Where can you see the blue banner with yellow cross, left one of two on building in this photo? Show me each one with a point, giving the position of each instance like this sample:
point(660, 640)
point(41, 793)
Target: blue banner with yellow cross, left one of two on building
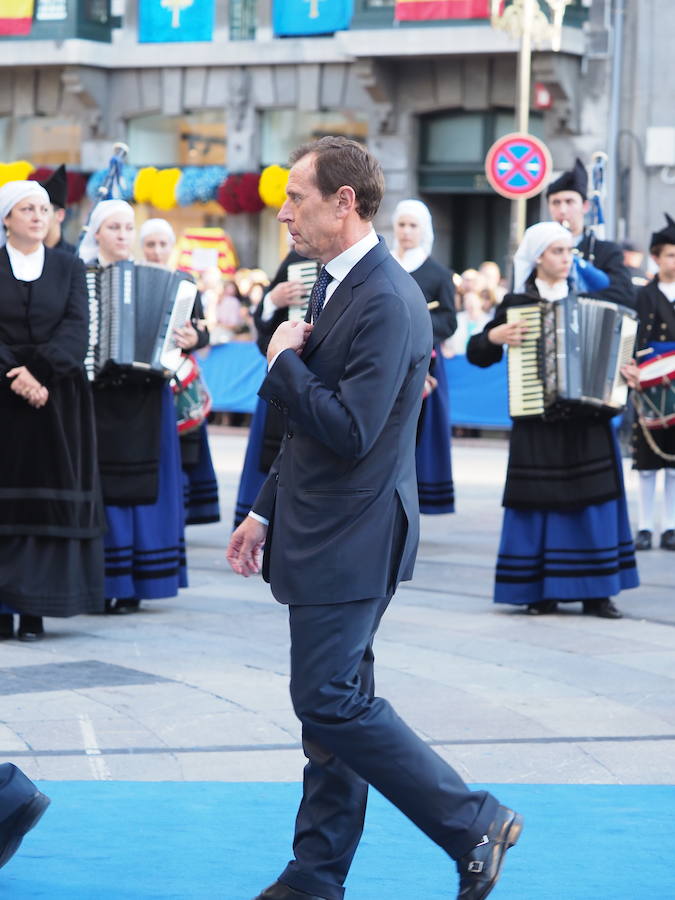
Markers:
point(161, 21)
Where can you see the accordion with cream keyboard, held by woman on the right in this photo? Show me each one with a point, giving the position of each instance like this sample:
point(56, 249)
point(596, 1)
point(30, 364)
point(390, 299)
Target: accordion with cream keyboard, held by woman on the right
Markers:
point(570, 358)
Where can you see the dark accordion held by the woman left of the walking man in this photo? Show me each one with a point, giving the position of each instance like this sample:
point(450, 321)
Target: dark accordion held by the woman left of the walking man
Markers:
point(133, 312)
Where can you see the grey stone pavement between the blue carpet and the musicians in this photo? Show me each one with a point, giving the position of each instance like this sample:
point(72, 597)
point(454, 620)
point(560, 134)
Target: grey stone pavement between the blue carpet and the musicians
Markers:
point(195, 688)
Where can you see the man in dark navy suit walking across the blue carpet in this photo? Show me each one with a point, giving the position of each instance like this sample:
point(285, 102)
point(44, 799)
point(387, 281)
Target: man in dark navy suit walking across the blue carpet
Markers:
point(338, 518)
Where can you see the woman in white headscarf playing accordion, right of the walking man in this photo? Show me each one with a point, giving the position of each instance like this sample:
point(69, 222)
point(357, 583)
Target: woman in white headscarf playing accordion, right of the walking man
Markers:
point(565, 533)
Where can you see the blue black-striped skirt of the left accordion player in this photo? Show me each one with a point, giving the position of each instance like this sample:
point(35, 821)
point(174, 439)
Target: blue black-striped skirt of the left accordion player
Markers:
point(145, 544)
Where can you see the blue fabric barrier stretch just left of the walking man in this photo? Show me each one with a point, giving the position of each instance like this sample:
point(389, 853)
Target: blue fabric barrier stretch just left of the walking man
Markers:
point(233, 374)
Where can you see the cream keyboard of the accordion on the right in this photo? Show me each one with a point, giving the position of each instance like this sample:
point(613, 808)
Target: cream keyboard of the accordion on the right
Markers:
point(526, 386)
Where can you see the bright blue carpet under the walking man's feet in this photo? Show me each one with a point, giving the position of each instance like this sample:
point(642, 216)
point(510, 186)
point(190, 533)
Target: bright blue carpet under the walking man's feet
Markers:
point(180, 841)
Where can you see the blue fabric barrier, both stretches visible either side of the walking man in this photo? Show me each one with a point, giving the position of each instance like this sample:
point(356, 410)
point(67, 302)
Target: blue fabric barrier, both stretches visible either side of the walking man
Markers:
point(478, 397)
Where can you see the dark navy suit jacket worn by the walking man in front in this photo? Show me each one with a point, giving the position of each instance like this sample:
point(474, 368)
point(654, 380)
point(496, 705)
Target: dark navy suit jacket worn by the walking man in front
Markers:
point(342, 496)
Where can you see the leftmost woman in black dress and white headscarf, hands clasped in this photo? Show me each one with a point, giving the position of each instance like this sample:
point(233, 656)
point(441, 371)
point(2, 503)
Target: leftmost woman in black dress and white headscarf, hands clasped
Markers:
point(51, 516)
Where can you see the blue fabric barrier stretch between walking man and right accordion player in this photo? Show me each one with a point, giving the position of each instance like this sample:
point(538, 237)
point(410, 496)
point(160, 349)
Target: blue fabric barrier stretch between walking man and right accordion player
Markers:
point(478, 397)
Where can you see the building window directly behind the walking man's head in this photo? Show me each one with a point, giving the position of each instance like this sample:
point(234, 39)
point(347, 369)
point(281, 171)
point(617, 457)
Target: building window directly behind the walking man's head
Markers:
point(285, 129)
